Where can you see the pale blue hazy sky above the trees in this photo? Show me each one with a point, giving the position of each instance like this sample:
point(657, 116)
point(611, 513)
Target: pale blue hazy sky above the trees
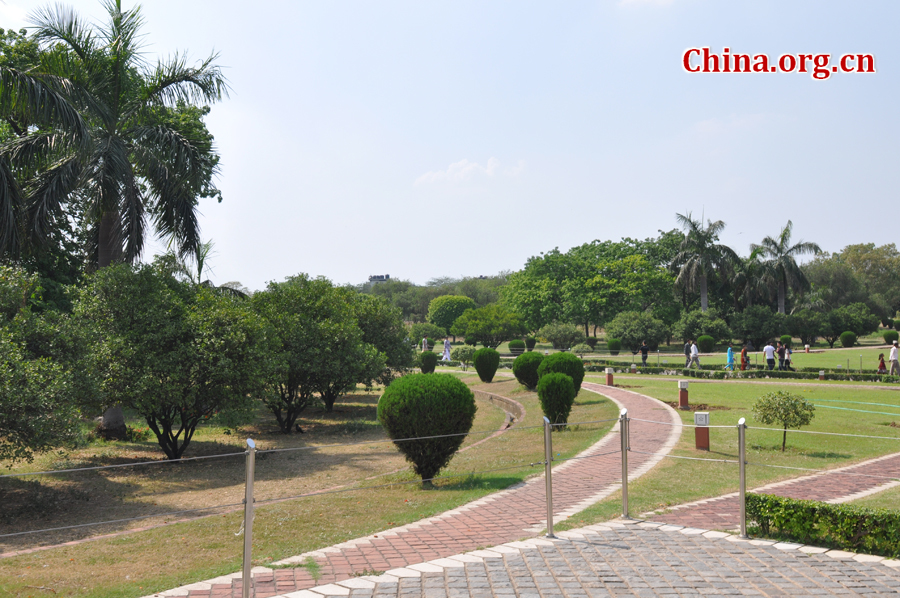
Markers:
point(460, 138)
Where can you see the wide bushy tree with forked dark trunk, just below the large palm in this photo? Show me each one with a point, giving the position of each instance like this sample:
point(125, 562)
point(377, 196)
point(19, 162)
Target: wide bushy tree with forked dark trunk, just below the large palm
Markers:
point(174, 353)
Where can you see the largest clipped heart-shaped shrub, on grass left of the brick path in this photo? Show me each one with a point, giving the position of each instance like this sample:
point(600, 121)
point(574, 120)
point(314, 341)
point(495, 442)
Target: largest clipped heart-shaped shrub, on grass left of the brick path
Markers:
point(422, 405)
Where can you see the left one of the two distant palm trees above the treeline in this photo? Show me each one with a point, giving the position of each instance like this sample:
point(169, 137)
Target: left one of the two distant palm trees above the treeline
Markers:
point(700, 256)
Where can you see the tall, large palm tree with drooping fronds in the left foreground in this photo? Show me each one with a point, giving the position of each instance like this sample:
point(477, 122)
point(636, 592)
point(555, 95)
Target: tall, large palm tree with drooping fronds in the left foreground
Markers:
point(110, 133)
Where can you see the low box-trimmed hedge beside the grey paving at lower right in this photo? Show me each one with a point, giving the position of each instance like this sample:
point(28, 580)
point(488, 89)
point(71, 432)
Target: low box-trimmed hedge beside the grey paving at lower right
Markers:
point(845, 527)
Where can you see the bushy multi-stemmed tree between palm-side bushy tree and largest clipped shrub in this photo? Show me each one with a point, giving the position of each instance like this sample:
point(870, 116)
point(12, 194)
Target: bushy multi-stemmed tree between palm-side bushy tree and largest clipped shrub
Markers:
point(317, 345)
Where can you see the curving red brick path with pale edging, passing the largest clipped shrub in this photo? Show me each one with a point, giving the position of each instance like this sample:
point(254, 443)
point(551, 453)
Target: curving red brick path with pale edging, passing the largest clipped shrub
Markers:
point(502, 517)
